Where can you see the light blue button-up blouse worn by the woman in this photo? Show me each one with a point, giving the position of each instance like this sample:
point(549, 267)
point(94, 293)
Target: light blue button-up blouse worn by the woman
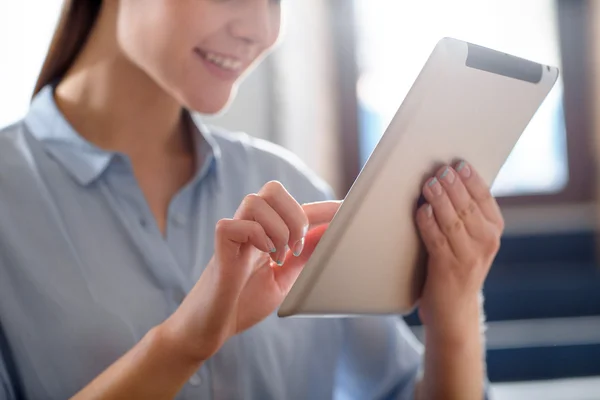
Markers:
point(85, 273)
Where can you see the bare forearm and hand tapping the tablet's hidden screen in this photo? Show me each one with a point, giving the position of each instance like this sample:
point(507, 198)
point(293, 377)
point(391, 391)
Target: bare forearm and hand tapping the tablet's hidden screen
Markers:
point(240, 287)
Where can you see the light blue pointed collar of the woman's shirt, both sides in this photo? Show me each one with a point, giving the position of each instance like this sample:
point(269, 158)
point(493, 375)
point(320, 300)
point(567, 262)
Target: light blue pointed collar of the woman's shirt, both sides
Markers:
point(87, 162)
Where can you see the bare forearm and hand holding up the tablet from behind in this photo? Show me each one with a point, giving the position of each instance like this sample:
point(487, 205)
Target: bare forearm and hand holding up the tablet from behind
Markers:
point(461, 227)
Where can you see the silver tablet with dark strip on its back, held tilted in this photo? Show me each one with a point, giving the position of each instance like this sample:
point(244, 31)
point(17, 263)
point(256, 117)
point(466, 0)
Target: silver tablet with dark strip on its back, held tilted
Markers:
point(468, 102)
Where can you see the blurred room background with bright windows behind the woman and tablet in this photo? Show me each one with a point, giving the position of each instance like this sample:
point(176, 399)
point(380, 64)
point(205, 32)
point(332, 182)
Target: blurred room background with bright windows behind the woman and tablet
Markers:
point(329, 90)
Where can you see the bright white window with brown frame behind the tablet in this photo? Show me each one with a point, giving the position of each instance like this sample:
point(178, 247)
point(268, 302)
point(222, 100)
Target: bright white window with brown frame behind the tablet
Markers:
point(395, 38)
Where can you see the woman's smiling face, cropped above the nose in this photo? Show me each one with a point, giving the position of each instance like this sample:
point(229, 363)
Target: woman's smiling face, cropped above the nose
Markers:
point(197, 50)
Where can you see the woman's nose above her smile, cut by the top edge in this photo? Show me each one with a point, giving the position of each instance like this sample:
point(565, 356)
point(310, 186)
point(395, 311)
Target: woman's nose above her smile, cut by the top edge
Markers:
point(257, 22)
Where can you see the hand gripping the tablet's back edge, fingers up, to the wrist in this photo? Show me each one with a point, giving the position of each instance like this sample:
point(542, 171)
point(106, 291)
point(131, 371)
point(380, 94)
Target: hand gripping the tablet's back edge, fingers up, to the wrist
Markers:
point(461, 226)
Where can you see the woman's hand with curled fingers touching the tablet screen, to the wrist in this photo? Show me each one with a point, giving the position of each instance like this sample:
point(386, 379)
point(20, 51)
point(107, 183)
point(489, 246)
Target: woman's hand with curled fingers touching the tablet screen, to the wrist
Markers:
point(251, 271)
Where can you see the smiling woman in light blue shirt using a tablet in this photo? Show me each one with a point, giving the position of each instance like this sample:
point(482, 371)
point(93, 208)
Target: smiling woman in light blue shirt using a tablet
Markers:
point(142, 254)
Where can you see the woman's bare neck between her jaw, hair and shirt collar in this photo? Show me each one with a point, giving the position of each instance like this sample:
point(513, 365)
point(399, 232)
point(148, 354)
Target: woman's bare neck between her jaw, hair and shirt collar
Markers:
point(117, 106)
